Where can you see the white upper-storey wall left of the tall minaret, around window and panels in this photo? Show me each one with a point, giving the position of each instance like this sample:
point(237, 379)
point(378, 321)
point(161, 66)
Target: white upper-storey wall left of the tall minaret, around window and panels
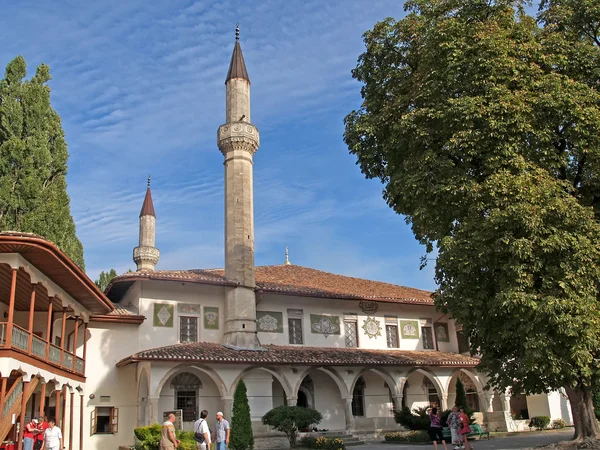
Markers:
point(173, 293)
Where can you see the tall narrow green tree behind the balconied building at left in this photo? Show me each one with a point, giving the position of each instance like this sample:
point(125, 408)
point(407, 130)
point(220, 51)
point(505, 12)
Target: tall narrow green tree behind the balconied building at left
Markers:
point(33, 161)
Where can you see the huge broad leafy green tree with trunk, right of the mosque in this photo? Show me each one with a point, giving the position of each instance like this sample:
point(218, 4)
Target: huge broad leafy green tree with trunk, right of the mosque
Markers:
point(483, 123)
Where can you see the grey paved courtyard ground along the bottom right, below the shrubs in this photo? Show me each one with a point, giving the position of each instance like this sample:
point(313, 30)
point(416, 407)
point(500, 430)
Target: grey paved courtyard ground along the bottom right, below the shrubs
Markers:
point(522, 441)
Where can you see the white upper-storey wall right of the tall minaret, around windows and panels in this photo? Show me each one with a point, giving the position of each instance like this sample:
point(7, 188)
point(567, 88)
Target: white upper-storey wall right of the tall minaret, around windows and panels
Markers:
point(281, 303)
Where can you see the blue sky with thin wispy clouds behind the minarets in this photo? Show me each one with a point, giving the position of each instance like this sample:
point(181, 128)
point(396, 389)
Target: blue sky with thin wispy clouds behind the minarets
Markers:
point(140, 88)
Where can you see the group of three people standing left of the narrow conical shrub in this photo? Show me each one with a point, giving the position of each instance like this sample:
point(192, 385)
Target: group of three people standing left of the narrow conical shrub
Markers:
point(202, 433)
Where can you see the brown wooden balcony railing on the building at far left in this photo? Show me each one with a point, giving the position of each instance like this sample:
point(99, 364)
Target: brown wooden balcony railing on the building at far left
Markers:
point(56, 356)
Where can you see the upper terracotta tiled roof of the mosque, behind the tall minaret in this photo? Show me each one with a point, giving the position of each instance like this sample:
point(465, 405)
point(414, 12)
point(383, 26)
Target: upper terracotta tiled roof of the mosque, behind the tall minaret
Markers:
point(297, 280)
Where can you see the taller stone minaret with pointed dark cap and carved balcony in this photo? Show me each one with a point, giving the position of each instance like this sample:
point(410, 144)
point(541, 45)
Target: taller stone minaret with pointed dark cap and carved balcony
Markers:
point(238, 140)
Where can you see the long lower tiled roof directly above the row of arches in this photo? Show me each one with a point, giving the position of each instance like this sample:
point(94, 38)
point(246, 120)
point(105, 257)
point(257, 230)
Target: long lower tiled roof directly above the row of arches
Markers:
point(208, 352)
